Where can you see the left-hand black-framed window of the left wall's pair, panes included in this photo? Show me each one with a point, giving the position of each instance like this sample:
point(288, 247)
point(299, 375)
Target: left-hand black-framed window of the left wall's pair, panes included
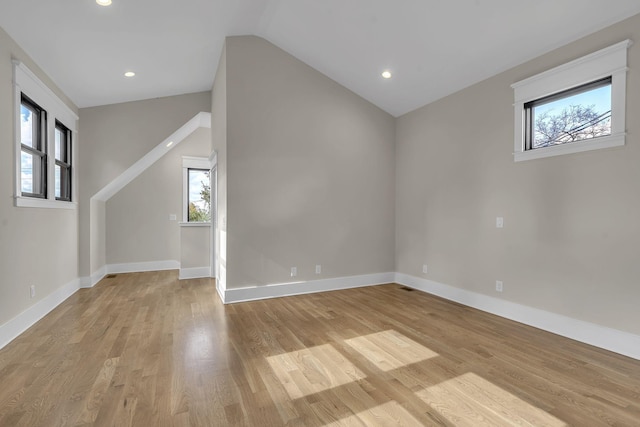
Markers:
point(33, 149)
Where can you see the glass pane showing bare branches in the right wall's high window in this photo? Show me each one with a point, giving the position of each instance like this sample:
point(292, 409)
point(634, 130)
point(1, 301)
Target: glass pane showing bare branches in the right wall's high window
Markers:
point(573, 118)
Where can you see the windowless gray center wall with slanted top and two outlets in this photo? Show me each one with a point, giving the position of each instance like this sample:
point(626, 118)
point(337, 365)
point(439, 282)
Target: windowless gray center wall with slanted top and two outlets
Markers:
point(310, 172)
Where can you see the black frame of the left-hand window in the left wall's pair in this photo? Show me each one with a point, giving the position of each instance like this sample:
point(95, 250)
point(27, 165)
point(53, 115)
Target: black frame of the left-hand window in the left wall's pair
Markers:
point(39, 149)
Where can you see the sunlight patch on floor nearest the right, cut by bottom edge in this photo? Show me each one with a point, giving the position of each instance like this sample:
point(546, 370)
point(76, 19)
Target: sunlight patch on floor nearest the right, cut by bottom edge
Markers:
point(470, 400)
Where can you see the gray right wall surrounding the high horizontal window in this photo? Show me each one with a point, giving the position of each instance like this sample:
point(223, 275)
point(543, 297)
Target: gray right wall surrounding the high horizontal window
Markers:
point(571, 237)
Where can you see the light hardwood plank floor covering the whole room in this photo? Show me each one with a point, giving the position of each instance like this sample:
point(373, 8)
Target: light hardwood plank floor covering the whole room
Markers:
point(145, 349)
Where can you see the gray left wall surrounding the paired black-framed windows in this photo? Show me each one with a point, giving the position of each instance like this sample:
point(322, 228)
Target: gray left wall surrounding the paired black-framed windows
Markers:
point(37, 246)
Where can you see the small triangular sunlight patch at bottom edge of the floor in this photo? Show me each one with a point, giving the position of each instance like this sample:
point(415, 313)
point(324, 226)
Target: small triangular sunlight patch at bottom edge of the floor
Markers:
point(387, 414)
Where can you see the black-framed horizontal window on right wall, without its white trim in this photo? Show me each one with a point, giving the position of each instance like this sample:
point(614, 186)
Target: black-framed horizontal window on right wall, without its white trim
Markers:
point(577, 114)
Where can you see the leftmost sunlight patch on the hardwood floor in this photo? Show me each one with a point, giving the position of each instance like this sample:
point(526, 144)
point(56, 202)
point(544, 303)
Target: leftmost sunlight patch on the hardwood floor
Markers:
point(312, 370)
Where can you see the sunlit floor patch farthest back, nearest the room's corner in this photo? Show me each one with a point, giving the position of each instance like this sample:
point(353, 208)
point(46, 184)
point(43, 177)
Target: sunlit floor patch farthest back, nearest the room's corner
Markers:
point(390, 349)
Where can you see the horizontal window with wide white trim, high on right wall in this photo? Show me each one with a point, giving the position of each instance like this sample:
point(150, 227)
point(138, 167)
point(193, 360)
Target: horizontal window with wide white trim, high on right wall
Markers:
point(575, 107)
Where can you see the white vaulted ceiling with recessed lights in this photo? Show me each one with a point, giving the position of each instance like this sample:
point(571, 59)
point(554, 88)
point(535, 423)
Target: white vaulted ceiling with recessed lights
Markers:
point(433, 47)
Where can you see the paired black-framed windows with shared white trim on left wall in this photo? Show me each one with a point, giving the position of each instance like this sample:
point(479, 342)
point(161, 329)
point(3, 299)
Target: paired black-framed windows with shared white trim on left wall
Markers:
point(45, 129)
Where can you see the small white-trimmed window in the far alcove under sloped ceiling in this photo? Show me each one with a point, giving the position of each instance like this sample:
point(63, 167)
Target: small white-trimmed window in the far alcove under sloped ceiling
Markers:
point(196, 190)
